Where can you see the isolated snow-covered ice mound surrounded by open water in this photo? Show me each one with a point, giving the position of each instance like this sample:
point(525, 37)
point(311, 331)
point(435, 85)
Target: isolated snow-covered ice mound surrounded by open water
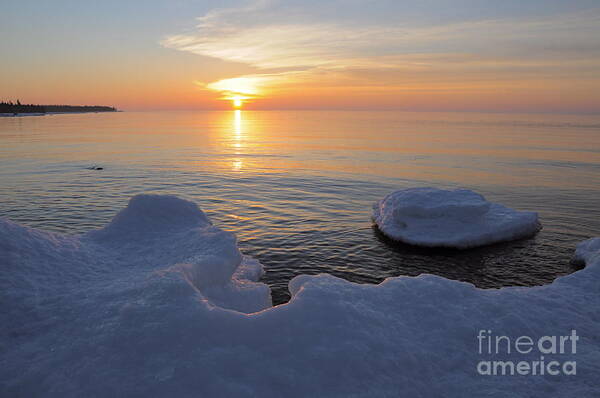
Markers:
point(460, 218)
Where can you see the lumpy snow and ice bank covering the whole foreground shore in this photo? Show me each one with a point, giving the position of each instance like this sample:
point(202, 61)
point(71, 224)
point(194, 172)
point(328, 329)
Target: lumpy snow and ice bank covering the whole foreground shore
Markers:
point(160, 303)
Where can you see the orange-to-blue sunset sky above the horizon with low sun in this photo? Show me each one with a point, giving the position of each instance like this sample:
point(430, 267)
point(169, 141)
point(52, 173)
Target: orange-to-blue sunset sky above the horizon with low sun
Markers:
point(417, 55)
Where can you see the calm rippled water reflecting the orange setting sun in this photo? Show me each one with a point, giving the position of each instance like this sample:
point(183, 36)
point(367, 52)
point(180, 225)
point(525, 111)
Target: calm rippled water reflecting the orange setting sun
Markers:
point(297, 187)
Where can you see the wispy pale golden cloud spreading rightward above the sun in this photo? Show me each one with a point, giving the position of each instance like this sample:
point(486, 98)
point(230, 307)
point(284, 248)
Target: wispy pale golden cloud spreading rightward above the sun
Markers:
point(286, 47)
